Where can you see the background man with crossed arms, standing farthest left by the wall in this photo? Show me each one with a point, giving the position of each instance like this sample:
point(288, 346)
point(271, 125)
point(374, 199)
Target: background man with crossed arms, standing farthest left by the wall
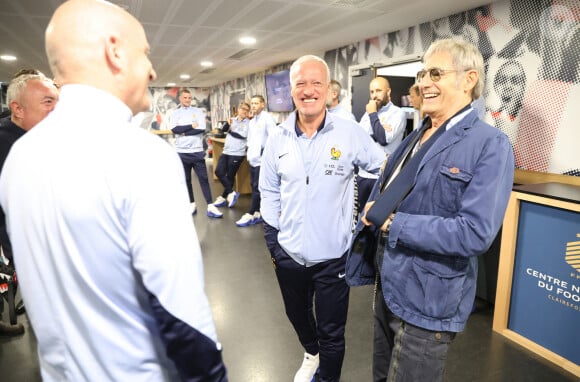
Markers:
point(188, 123)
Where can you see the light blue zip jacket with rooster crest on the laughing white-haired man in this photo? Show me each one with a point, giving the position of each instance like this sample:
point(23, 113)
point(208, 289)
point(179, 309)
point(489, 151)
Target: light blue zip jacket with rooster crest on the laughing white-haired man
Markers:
point(307, 186)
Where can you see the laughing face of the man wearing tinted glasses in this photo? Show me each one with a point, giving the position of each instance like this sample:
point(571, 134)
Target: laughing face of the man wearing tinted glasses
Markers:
point(444, 98)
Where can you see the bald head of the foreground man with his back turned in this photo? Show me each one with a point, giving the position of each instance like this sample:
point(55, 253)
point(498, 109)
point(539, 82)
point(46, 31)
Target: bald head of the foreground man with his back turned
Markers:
point(96, 43)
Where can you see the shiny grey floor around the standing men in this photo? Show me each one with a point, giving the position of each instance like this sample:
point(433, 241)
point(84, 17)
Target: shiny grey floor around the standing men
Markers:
point(259, 343)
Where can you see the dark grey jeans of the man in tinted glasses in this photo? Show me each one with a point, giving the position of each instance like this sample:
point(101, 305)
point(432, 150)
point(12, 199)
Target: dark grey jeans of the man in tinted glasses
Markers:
point(406, 353)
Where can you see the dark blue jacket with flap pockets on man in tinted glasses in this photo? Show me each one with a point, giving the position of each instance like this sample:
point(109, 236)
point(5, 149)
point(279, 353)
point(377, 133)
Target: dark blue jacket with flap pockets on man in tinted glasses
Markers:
point(451, 215)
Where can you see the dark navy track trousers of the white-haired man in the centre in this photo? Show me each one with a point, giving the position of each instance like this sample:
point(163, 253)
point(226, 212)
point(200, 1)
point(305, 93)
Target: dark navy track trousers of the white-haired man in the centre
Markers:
point(320, 326)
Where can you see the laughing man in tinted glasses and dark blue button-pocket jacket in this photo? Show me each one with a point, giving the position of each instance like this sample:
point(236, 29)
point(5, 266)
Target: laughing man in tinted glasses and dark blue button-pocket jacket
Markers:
point(448, 185)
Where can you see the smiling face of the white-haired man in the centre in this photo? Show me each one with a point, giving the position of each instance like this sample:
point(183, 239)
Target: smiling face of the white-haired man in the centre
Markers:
point(310, 89)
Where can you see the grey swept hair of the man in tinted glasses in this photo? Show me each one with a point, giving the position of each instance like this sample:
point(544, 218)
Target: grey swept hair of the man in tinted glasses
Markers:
point(465, 56)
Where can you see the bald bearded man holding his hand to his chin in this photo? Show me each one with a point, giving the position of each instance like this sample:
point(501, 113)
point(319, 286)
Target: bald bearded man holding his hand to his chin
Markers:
point(386, 124)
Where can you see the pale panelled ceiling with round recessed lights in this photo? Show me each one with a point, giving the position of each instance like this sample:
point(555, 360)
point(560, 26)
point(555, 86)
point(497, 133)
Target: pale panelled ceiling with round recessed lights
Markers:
point(182, 33)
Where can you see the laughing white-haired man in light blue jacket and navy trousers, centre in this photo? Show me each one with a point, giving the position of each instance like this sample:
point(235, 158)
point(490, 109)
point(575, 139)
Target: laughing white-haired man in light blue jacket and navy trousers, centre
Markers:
point(307, 188)
